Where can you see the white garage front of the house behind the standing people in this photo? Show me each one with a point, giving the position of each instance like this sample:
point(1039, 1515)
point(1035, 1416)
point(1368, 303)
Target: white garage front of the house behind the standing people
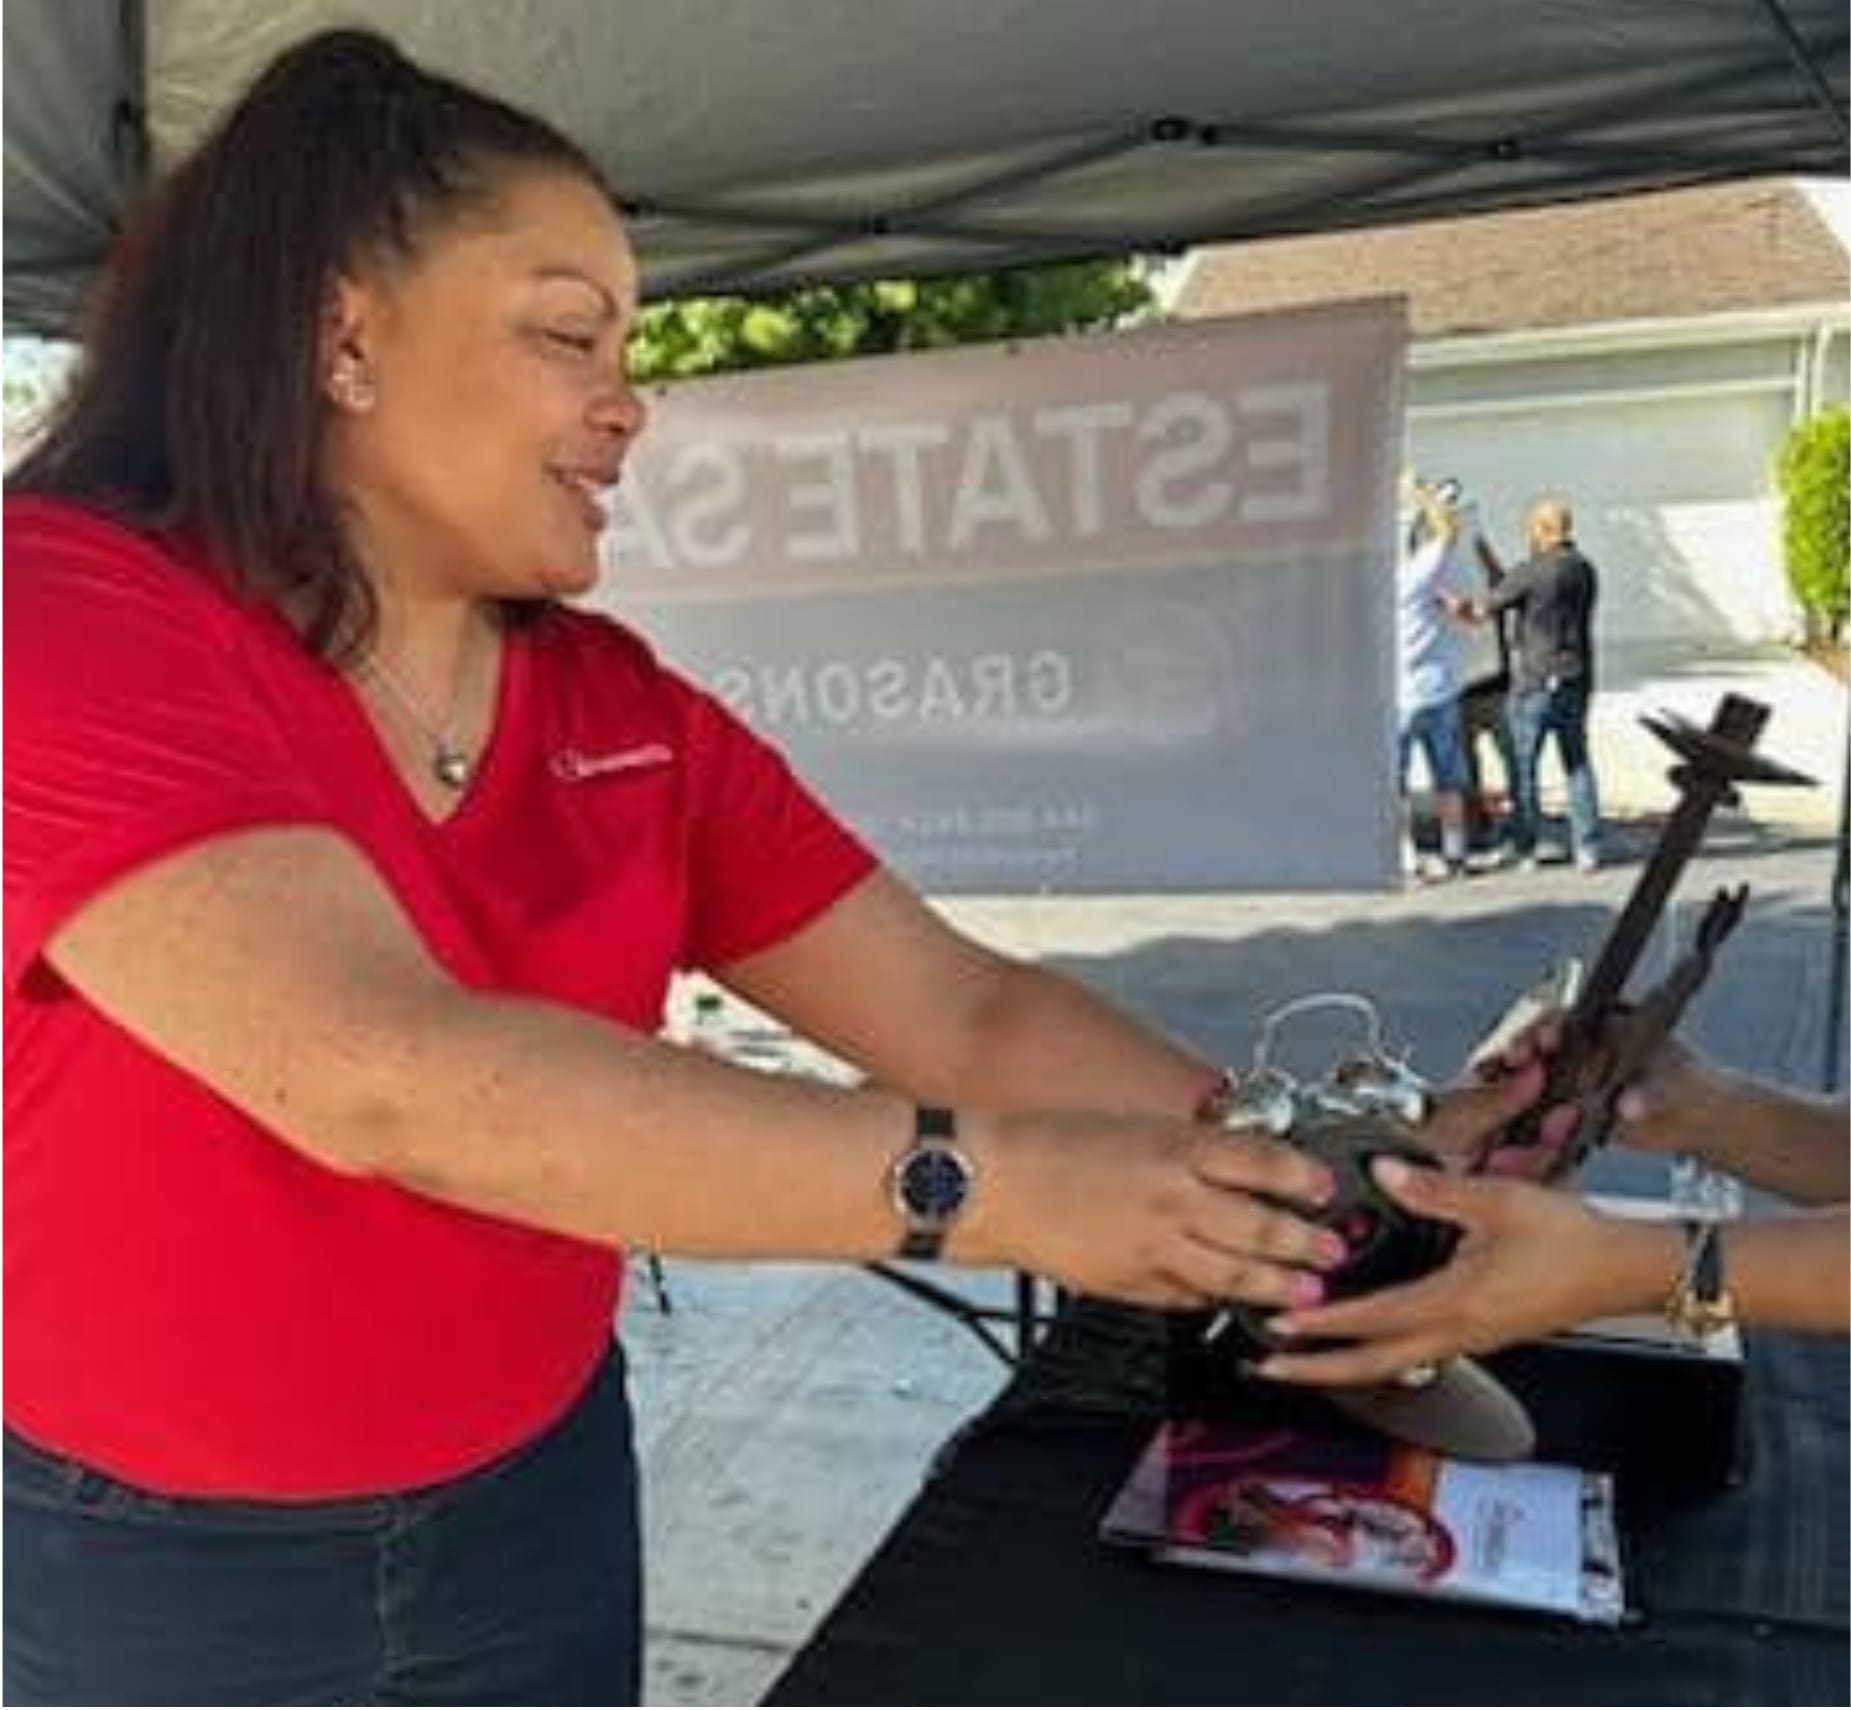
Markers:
point(1663, 440)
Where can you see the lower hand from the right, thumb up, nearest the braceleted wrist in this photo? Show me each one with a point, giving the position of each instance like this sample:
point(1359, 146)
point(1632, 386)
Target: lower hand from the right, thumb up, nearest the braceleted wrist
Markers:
point(1530, 1261)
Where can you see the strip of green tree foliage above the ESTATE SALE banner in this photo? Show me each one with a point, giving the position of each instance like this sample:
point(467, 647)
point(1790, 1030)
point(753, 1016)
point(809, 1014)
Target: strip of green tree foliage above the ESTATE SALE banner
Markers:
point(821, 323)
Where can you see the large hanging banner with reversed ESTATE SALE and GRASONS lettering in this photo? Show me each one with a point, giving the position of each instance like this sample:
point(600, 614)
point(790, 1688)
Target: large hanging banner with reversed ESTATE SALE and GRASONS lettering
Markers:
point(1149, 652)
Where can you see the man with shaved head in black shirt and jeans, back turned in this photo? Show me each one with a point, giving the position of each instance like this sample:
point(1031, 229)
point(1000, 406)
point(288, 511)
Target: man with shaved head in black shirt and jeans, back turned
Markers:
point(1552, 595)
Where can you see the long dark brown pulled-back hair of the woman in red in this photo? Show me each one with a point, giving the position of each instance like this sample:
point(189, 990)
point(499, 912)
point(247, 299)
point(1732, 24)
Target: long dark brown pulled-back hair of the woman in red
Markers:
point(199, 406)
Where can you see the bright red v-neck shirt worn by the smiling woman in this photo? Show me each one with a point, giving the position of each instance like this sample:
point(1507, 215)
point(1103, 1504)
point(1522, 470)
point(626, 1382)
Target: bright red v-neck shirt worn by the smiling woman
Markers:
point(193, 1306)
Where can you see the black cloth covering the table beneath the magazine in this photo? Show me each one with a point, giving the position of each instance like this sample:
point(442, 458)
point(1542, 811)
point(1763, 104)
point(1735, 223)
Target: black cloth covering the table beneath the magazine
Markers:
point(995, 1589)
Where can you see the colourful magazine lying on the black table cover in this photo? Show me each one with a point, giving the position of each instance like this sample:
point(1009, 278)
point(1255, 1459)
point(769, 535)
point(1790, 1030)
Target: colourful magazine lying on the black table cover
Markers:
point(1374, 1515)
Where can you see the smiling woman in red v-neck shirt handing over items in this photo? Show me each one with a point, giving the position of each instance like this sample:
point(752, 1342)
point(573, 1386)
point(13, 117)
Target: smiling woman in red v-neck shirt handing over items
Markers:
point(347, 873)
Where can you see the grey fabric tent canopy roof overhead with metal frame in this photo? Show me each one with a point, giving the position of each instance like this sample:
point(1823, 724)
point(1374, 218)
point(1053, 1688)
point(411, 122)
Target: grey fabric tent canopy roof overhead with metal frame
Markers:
point(773, 145)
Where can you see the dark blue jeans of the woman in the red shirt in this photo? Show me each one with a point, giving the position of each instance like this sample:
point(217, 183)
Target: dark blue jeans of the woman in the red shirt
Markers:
point(517, 1585)
